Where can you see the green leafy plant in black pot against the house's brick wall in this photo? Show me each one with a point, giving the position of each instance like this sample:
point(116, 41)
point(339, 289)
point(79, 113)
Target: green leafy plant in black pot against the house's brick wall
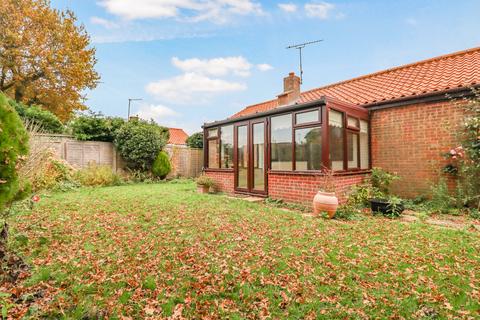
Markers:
point(387, 204)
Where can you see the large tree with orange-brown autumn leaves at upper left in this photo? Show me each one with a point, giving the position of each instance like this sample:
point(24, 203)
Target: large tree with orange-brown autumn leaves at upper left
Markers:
point(45, 58)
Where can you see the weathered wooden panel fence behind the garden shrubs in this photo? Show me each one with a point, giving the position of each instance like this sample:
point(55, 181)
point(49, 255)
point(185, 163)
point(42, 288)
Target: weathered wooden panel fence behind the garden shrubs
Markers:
point(186, 162)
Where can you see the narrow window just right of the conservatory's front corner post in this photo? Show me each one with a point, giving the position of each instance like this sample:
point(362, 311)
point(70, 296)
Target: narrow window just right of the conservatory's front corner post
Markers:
point(336, 128)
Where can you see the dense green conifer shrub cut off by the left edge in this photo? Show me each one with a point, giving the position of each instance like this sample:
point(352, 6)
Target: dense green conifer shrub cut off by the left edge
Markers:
point(13, 149)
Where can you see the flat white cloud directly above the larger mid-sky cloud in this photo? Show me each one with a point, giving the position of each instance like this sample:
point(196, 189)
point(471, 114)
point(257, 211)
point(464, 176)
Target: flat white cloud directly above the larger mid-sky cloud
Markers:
point(215, 67)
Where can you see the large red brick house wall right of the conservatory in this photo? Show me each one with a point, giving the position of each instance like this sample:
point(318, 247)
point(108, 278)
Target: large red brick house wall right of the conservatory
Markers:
point(410, 141)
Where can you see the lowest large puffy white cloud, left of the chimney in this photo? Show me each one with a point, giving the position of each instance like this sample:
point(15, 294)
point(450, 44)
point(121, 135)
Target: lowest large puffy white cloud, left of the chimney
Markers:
point(191, 87)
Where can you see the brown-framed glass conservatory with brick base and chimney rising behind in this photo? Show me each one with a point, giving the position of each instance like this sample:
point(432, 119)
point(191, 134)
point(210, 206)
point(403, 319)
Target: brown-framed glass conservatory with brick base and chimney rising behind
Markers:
point(283, 152)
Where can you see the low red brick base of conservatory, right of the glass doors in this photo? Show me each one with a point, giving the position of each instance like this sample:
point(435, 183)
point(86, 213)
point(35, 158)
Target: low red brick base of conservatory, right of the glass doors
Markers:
point(301, 188)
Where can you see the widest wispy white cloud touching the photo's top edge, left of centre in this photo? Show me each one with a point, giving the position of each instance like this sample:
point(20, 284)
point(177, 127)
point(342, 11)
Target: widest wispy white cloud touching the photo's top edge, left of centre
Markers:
point(191, 10)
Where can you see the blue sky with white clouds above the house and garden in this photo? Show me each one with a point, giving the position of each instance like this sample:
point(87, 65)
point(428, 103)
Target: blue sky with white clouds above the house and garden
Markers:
point(196, 61)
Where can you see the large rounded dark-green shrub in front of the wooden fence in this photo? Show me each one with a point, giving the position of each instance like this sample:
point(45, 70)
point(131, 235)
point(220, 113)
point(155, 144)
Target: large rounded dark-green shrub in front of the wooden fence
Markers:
point(139, 143)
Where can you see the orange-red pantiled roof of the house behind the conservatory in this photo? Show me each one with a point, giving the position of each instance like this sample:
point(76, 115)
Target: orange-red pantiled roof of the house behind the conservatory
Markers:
point(455, 70)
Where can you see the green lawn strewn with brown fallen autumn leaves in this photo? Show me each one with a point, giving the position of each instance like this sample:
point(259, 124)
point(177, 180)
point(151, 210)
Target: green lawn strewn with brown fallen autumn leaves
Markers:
point(163, 250)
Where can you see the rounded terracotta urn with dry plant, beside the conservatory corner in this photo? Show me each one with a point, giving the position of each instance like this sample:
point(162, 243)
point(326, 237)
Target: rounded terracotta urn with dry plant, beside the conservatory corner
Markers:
point(325, 199)
